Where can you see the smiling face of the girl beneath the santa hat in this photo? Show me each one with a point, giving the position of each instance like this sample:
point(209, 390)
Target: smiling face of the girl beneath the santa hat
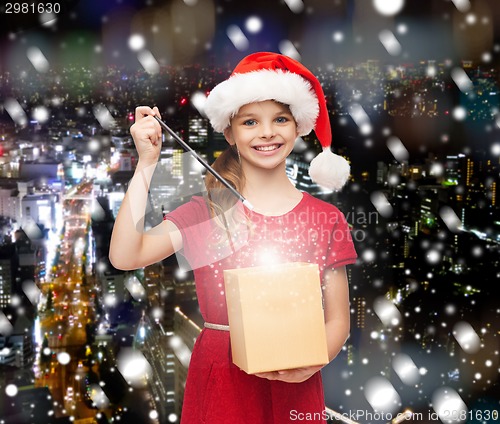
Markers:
point(264, 133)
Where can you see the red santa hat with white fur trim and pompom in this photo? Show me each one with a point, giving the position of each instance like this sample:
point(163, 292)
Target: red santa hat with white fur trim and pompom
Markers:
point(271, 76)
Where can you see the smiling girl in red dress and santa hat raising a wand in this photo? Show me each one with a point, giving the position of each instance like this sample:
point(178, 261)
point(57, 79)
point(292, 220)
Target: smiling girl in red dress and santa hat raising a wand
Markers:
point(262, 108)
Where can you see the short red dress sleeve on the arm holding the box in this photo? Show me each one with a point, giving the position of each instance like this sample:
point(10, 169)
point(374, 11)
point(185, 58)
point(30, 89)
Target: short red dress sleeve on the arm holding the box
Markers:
point(341, 249)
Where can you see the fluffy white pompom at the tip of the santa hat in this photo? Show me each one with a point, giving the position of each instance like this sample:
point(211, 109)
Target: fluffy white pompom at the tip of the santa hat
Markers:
point(329, 170)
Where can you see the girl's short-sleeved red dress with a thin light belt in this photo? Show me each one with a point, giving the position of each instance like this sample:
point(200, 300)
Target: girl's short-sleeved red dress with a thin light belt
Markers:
point(218, 392)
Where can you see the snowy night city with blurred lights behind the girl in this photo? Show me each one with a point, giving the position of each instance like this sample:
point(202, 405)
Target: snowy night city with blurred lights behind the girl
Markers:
point(413, 89)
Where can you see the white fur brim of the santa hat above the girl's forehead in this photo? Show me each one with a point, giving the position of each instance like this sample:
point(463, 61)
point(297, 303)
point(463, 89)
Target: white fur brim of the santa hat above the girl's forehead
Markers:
point(288, 88)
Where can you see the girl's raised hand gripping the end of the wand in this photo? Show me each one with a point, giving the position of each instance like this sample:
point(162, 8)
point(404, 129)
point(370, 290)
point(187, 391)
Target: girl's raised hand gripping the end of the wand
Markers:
point(146, 132)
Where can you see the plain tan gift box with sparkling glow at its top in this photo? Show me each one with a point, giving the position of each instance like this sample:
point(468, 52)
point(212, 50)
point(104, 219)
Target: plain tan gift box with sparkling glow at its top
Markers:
point(276, 317)
